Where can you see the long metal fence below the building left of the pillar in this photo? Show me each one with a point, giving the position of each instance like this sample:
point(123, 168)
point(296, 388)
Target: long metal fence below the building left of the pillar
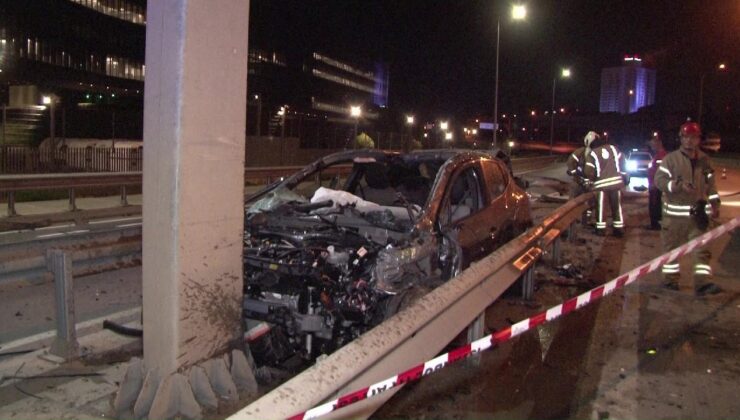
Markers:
point(27, 160)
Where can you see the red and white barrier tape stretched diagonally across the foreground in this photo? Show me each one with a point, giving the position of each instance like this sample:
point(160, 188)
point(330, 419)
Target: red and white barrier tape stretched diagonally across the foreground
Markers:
point(498, 337)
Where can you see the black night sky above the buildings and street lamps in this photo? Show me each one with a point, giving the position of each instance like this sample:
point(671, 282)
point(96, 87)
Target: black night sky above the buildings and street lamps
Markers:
point(441, 54)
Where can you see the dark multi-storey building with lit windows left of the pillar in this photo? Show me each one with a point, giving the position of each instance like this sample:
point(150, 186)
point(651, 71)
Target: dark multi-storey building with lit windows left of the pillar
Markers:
point(83, 57)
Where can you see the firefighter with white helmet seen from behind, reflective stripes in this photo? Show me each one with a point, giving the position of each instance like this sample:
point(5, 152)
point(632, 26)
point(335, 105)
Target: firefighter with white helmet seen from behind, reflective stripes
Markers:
point(604, 168)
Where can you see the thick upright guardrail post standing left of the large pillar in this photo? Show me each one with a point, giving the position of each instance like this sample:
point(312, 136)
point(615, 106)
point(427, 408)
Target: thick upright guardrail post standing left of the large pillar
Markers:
point(65, 344)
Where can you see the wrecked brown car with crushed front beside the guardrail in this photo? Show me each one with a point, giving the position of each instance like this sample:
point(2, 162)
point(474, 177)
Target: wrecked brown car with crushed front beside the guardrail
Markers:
point(344, 243)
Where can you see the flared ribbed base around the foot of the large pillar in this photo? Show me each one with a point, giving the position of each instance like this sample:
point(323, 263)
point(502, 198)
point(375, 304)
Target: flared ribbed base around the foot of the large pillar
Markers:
point(187, 394)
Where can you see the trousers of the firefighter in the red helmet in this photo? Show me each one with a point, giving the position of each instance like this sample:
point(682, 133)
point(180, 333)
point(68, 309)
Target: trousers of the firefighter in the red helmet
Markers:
point(675, 232)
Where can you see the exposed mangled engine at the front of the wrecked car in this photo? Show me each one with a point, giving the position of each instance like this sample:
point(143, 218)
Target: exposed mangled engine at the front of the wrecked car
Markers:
point(312, 277)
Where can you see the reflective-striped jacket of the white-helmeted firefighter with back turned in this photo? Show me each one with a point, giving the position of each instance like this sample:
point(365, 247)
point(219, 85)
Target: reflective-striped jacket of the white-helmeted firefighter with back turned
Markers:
point(604, 166)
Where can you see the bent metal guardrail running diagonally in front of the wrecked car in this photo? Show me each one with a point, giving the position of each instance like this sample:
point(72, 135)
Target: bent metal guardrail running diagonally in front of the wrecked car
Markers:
point(416, 333)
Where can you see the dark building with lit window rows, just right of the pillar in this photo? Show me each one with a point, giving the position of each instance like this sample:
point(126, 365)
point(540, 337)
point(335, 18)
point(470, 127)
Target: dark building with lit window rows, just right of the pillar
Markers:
point(318, 91)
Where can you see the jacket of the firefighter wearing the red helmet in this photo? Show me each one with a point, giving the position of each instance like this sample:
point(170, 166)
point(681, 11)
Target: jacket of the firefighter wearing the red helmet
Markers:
point(677, 170)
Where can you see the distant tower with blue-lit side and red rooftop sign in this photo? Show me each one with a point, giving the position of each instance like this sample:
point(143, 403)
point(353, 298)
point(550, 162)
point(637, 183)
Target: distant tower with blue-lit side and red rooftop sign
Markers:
point(627, 88)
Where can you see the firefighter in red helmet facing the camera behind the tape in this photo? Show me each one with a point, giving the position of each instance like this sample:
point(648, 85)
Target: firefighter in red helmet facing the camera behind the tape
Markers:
point(690, 198)
